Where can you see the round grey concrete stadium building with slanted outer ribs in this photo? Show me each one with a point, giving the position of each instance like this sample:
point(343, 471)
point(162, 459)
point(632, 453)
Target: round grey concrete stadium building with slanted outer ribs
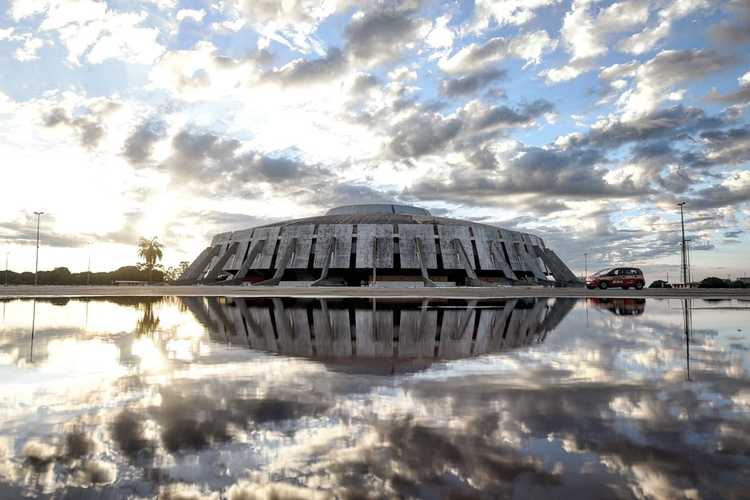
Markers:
point(377, 244)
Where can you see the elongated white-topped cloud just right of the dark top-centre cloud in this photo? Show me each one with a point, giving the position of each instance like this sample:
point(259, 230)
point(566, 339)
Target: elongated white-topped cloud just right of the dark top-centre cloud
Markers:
point(473, 57)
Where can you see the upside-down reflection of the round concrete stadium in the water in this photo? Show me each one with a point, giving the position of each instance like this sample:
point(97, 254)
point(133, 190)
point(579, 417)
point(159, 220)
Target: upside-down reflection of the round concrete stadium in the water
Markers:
point(378, 335)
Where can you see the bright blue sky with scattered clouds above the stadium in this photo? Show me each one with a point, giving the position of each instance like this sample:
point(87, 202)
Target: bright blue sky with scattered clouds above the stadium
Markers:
point(583, 122)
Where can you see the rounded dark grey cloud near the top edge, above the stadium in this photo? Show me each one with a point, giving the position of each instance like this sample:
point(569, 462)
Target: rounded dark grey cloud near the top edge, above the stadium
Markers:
point(380, 35)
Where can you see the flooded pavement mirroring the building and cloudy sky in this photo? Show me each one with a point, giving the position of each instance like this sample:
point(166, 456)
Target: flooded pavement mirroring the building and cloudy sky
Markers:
point(212, 397)
